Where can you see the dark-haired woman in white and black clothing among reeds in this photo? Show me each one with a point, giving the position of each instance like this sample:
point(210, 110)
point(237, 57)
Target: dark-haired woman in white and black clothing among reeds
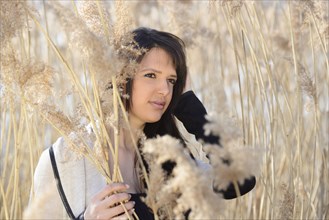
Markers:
point(155, 93)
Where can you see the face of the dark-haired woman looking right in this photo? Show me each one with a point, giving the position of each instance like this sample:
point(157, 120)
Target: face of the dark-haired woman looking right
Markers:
point(152, 88)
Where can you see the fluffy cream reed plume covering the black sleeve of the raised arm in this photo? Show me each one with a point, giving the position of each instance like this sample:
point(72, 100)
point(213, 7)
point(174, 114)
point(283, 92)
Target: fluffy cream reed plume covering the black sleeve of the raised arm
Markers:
point(228, 160)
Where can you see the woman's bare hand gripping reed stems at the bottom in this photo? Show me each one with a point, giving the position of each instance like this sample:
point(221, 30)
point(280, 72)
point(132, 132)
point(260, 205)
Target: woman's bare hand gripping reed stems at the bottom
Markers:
point(106, 203)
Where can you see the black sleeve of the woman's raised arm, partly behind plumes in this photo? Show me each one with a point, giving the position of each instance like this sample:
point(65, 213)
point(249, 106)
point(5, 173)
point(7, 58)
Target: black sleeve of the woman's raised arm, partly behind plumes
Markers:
point(191, 112)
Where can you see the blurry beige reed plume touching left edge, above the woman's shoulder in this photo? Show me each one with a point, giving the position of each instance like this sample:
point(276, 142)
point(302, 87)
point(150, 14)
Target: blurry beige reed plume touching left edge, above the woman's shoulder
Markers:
point(33, 80)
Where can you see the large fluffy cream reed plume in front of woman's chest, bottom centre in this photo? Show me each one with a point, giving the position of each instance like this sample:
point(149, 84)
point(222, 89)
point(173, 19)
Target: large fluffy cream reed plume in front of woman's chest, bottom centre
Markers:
point(170, 166)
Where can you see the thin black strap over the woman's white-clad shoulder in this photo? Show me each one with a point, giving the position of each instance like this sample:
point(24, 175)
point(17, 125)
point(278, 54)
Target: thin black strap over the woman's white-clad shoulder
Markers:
point(59, 184)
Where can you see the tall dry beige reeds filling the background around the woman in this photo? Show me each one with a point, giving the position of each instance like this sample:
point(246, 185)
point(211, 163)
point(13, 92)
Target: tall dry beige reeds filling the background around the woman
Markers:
point(263, 63)
